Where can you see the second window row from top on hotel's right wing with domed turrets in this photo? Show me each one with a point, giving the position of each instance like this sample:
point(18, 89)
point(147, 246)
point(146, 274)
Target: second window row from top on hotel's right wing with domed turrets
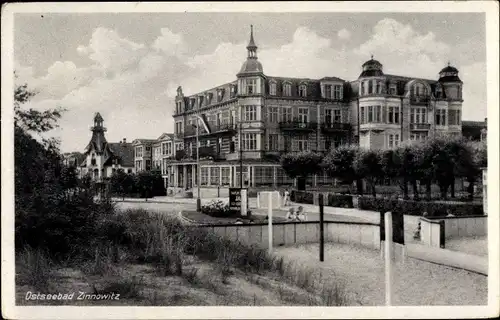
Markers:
point(373, 114)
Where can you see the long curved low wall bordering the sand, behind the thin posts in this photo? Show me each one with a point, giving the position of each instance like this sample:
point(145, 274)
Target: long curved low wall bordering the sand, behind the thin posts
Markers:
point(291, 233)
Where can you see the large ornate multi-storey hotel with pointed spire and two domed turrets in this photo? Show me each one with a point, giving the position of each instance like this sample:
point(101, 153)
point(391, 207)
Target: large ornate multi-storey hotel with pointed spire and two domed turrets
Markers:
point(258, 117)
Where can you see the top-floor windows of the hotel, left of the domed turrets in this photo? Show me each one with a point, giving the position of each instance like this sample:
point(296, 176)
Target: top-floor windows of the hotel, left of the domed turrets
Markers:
point(334, 92)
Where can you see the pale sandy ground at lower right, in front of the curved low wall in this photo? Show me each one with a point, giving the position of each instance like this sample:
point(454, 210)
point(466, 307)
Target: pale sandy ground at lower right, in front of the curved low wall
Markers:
point(415, 283)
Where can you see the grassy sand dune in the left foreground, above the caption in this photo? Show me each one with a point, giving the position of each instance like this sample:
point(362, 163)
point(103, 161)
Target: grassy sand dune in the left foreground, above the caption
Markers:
point(153, 259)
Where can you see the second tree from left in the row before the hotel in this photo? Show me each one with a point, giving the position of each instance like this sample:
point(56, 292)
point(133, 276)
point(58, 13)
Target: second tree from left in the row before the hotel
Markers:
point(339, 164)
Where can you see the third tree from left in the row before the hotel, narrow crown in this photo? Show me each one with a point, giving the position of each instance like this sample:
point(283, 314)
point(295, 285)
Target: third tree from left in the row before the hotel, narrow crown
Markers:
point(367, 165)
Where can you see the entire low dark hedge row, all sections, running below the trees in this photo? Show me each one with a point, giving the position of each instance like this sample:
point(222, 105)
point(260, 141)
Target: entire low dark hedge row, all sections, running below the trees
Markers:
point(409, 207)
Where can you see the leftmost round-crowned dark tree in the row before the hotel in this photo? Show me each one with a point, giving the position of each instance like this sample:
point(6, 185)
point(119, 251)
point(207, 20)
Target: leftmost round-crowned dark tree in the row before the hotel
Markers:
point(301, 165)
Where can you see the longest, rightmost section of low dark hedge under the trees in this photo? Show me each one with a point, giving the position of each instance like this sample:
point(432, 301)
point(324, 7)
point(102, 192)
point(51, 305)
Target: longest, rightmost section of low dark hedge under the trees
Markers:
point(417, 208)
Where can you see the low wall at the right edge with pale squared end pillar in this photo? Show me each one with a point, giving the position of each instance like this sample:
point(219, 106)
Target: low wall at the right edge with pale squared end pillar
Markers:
point(434, 231)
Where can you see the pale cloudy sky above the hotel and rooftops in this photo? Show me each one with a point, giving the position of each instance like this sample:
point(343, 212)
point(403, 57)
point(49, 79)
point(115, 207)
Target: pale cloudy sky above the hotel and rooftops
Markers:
point(127, 66)
